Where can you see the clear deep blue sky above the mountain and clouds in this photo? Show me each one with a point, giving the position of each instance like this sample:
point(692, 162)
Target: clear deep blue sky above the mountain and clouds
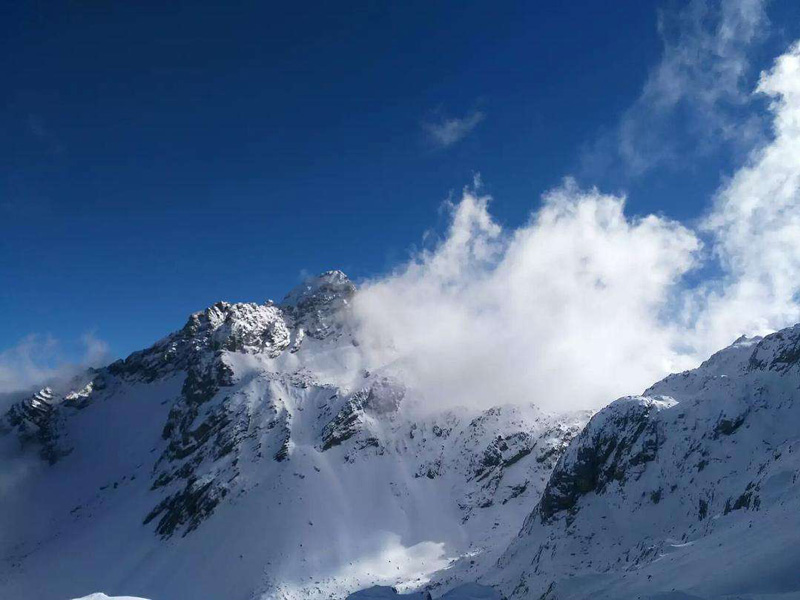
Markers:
point(157, 159)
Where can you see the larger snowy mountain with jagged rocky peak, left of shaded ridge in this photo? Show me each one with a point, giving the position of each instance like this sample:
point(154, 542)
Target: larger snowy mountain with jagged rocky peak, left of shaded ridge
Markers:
point(256, 453)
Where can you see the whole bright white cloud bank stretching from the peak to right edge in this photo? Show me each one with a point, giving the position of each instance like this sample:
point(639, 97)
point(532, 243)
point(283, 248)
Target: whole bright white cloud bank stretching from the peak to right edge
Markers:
point(584, 304)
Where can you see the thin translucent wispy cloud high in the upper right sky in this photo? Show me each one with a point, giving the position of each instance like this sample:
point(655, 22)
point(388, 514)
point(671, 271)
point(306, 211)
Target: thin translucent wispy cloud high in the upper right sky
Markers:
point(694, 99)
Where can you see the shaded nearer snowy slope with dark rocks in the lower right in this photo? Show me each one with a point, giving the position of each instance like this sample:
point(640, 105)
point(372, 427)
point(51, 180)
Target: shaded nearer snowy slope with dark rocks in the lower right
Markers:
point(688, 491)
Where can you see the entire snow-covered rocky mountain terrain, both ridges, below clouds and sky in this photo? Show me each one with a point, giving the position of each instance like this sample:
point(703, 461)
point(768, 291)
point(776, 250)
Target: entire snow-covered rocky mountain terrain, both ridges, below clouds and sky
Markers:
point(257, 454)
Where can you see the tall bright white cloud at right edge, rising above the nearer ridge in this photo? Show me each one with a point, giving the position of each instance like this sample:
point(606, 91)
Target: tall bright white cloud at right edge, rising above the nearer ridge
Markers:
point(756, 222)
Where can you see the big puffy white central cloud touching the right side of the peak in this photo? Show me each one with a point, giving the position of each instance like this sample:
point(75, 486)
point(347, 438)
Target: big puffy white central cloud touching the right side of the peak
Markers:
point(564, 311)
